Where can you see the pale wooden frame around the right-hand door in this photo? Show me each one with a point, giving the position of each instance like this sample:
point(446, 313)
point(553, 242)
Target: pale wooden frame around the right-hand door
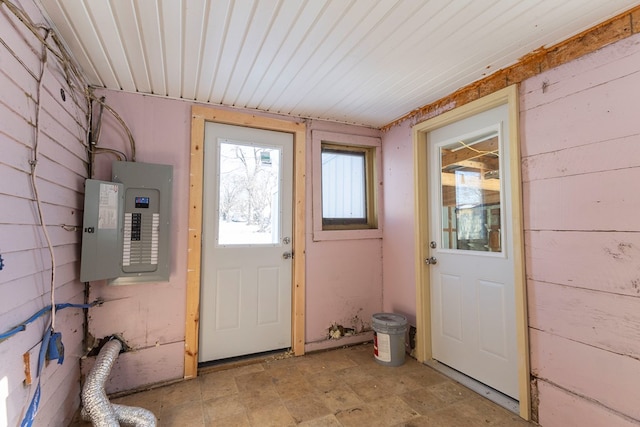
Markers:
point(507, 96)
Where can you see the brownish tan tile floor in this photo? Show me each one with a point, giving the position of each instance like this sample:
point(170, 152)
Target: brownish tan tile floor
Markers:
point(344, 387)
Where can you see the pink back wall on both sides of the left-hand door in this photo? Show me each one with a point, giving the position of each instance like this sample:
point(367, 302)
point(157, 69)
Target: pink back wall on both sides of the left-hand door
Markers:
point(344, 278)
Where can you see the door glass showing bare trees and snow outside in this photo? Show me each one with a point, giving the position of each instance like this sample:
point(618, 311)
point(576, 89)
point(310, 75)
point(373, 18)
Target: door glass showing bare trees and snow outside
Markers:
point(248, 196)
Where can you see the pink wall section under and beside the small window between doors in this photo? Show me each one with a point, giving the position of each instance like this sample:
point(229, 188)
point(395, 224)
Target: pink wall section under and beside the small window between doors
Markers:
point(344, 277)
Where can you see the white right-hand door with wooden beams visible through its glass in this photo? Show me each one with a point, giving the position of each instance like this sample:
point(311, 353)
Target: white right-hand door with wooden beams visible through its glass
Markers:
point(471, 252)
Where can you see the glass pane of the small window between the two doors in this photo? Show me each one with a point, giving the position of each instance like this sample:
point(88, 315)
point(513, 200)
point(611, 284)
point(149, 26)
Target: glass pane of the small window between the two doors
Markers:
point(344, 194)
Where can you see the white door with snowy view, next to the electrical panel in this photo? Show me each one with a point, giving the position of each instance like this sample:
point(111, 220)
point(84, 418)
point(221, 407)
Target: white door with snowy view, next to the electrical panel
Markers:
point(245, 304)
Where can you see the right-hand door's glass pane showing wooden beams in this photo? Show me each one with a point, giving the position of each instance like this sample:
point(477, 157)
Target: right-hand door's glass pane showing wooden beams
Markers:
point(470, 185)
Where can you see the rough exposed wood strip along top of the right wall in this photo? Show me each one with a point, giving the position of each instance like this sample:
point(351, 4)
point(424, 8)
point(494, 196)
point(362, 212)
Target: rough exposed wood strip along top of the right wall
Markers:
point(617, 28)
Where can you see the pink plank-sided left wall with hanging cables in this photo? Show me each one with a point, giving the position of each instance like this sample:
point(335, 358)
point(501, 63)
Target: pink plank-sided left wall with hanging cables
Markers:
point(25, 280)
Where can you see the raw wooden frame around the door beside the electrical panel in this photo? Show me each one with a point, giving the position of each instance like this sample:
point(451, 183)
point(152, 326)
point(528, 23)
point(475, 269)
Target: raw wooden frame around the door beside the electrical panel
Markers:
point(199, 116)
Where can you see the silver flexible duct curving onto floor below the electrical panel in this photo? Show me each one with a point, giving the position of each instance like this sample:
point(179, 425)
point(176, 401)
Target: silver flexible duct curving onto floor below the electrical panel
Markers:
point(96, 405)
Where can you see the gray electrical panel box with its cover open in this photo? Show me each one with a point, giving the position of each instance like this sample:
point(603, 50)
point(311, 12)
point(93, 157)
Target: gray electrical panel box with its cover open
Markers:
point(140, 251)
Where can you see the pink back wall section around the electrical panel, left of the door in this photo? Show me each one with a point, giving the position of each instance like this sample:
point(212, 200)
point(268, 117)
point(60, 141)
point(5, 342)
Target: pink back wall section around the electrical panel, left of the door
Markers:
point(151, 316)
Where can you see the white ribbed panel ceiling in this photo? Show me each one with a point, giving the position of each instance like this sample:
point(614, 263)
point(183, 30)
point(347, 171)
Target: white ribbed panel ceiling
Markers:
point(356, 61)
